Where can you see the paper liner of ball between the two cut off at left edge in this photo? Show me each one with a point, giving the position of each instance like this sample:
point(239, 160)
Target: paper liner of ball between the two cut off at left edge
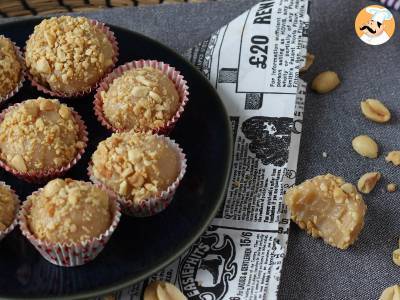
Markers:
point(44, 176)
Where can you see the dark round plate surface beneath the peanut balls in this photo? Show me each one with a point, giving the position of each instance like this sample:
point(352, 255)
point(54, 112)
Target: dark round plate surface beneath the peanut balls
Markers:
point(139, 247)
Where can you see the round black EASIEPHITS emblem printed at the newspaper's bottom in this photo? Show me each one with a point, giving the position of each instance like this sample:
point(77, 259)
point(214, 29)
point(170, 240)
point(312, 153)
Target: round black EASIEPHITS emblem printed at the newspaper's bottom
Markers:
point(206, 270)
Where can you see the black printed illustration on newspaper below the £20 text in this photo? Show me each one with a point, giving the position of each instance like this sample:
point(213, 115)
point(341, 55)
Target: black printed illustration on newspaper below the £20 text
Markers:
point(270, 138)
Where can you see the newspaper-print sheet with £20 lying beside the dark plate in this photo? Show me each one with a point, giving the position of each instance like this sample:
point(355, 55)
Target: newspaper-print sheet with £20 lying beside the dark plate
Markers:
point(253, 62)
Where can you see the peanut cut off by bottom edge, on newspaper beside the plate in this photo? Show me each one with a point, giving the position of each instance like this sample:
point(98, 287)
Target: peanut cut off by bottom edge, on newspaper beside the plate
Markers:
point(161, 290)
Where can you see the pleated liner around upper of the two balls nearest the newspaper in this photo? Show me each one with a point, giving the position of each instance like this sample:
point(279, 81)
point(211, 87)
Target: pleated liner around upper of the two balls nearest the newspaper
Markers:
point(171, 72)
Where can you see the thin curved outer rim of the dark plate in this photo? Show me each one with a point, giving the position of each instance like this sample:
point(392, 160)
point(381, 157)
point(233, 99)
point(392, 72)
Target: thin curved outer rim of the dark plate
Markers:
point(221, 193)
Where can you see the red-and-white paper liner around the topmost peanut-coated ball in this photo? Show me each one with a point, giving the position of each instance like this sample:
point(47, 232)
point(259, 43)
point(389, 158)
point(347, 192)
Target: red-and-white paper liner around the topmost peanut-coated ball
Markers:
point(111, 37)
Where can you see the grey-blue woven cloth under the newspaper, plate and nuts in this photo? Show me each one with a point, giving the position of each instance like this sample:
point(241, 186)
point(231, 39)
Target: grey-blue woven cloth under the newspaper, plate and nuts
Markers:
point(313, 270)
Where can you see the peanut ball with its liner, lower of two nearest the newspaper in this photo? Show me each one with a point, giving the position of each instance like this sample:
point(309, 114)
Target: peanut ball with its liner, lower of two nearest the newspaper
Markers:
point(142, 170)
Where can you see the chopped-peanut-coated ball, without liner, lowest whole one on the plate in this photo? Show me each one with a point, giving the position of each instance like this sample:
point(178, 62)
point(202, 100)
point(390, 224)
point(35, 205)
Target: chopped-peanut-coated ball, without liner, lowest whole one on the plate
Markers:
point(69, 211)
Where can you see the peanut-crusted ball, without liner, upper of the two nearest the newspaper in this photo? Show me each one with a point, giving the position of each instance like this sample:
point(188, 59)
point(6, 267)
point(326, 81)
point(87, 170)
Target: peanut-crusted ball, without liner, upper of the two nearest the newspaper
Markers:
point(140, 99)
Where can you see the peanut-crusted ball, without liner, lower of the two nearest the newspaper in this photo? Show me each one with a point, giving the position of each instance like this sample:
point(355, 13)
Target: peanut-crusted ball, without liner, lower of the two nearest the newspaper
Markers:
point(136, 166)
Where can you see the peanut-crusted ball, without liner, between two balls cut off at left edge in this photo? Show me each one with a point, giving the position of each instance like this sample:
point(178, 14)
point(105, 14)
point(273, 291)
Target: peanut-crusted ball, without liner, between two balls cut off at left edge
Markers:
point(36, 135)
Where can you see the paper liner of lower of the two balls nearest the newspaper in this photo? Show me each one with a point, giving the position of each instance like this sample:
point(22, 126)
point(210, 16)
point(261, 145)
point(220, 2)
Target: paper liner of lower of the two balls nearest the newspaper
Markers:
point(153, 205)
